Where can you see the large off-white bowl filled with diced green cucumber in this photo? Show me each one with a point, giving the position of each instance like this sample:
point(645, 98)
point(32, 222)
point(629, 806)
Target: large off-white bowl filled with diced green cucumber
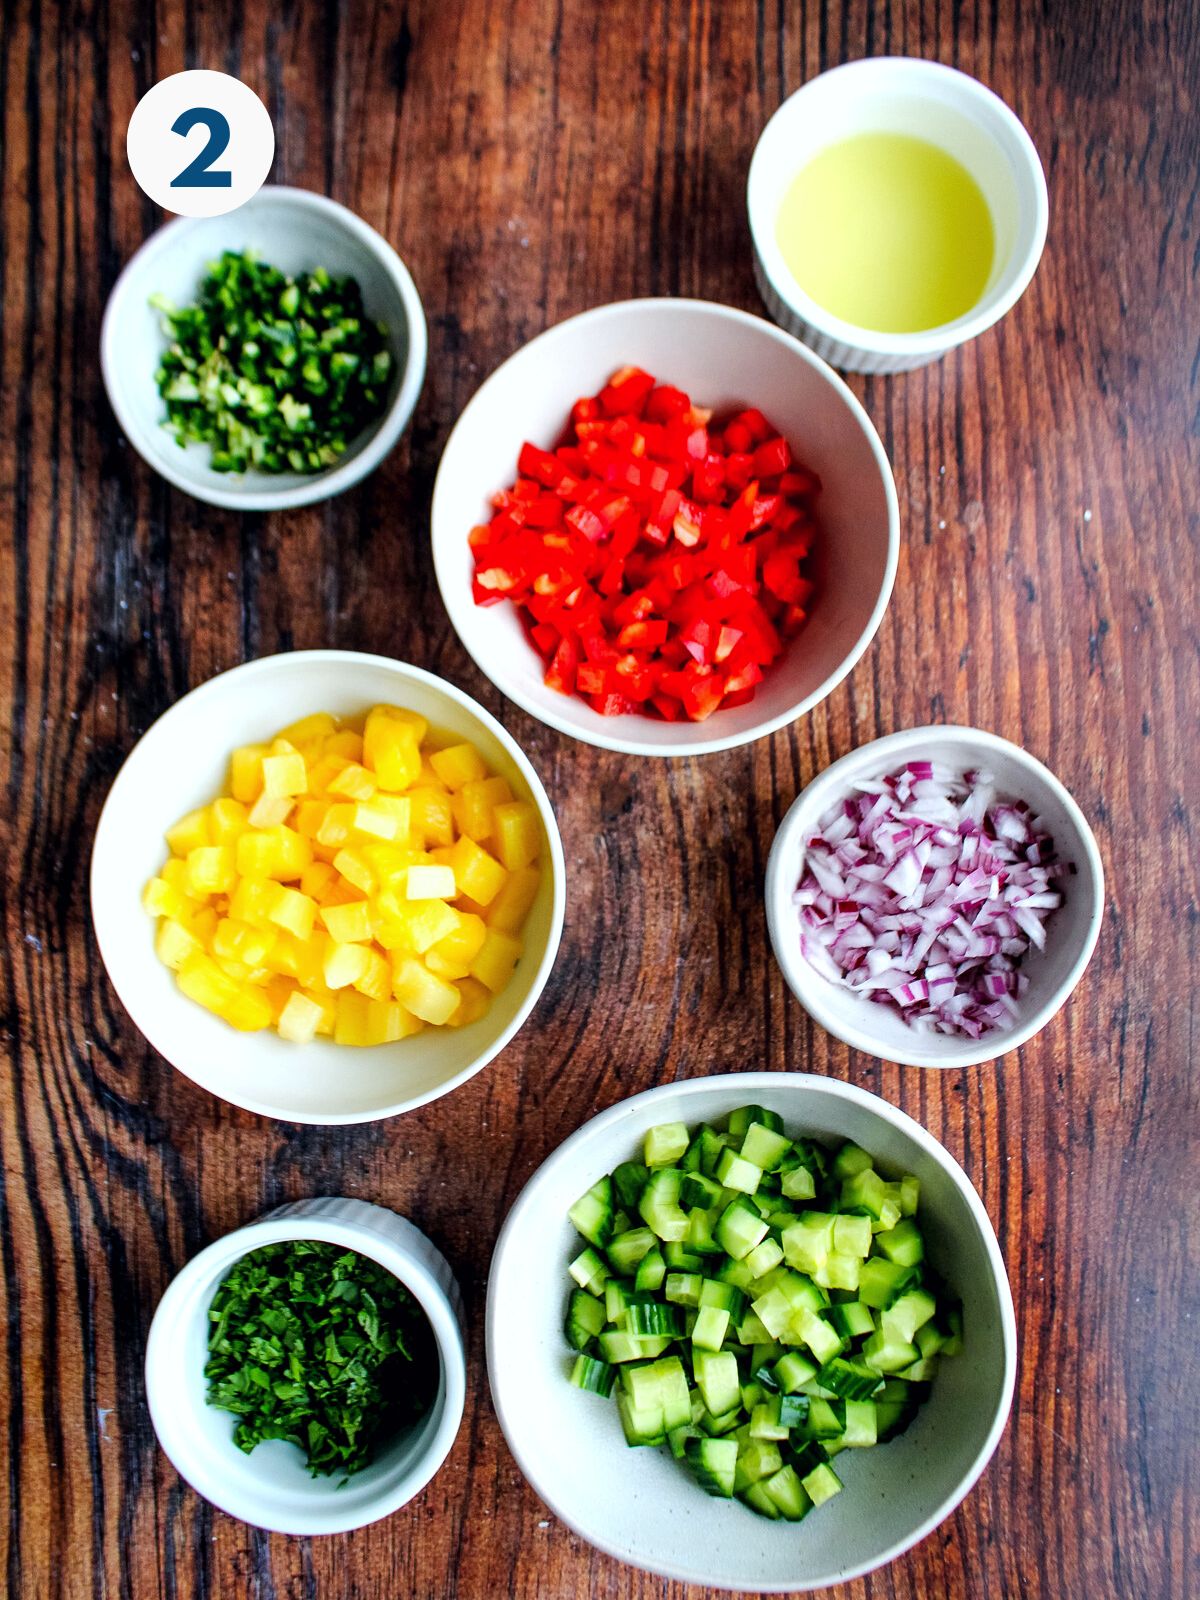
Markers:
point(751, 1332)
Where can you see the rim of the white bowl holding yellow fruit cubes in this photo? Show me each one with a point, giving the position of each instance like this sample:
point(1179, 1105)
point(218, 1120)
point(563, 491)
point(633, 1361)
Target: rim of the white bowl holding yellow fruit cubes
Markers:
point(108, 937)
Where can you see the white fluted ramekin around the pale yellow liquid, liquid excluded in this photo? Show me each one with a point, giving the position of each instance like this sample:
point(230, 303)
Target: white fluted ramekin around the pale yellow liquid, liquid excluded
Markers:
point(930, 102)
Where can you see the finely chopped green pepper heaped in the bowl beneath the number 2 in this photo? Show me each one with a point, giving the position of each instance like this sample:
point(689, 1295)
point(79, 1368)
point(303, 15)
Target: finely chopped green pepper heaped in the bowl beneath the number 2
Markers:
point(274, 374)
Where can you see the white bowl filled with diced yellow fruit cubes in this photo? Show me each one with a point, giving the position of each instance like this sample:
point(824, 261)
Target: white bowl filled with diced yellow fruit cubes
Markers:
point(319, 852)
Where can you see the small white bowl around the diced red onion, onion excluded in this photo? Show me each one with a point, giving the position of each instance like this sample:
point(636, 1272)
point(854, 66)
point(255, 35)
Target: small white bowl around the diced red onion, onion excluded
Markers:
point(1071, 934)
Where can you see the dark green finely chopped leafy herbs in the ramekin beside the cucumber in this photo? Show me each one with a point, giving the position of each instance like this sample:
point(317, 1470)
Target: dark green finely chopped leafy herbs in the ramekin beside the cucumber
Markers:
point(319, 1346)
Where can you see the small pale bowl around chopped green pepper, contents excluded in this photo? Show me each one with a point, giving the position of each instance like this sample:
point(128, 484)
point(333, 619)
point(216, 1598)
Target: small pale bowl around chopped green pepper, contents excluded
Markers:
point(294, 231)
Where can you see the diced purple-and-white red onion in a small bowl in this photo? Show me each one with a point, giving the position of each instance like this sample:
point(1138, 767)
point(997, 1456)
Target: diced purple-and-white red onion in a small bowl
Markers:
point(926, 892)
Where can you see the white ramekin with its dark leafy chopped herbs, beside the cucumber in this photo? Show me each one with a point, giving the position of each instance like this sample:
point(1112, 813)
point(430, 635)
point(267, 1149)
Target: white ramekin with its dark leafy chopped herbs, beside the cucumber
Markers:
point(306, 1374)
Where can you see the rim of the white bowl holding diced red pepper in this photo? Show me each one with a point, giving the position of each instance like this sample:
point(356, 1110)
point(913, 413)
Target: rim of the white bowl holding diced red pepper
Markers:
point(458, 609)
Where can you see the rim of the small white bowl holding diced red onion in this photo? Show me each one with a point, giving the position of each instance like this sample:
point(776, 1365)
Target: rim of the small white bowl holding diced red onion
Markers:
point(815, 798)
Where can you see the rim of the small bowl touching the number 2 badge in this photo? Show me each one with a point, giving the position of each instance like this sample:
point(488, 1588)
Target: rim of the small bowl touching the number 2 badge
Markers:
point(391, 425)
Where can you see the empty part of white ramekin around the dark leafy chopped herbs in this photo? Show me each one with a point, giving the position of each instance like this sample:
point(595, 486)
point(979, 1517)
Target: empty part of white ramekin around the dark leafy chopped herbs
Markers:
point(271, 1487)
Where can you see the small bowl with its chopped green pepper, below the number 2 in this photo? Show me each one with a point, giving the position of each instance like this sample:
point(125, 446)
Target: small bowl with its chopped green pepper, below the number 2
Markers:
point(265, 359)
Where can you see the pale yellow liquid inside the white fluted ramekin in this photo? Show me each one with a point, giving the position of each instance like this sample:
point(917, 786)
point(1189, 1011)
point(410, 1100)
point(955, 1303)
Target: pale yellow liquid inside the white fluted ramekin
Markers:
point(889, 233)
